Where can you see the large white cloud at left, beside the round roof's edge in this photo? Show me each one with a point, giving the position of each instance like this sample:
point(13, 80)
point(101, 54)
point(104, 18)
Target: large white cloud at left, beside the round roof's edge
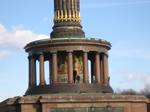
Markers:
point(18, 37)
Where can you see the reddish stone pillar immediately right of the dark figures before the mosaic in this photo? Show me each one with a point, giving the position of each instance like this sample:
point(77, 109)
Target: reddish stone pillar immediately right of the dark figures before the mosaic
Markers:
point(85, 67)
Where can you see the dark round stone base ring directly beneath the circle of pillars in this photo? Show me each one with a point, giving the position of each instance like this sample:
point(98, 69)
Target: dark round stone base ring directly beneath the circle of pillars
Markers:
point(69, 88)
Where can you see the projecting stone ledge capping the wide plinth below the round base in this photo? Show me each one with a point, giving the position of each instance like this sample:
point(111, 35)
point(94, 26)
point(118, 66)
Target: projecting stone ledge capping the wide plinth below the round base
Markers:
point(77, 98)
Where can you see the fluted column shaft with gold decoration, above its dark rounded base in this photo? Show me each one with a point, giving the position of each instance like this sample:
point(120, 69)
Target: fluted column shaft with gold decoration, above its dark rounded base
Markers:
point(66, 10)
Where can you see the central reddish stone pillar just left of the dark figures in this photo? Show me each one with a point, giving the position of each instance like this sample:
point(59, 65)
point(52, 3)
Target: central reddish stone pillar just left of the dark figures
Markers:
point(70, 67)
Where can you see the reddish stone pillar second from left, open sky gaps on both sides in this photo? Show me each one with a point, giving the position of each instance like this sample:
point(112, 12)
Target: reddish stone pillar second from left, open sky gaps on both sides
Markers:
point(42, 77)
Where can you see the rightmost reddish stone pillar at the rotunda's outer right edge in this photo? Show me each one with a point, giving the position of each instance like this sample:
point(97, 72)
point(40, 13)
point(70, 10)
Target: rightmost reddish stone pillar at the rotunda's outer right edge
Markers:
point(105, 68)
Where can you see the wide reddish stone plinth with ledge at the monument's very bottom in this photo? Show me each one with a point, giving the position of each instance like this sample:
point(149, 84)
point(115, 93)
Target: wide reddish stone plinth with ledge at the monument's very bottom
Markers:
point(76, 103)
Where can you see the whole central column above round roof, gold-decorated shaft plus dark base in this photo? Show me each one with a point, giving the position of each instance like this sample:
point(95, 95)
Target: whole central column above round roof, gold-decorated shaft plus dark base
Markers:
point(67, 19)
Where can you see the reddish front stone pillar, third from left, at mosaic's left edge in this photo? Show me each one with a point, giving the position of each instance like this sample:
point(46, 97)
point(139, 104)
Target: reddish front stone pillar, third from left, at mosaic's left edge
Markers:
point(54, 67)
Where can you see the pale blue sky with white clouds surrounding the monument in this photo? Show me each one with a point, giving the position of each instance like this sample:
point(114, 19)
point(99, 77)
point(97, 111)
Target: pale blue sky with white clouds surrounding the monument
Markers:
point(125, 23)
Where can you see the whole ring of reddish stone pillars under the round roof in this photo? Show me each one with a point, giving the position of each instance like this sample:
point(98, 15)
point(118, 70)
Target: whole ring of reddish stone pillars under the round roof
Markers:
point(99, 68)
